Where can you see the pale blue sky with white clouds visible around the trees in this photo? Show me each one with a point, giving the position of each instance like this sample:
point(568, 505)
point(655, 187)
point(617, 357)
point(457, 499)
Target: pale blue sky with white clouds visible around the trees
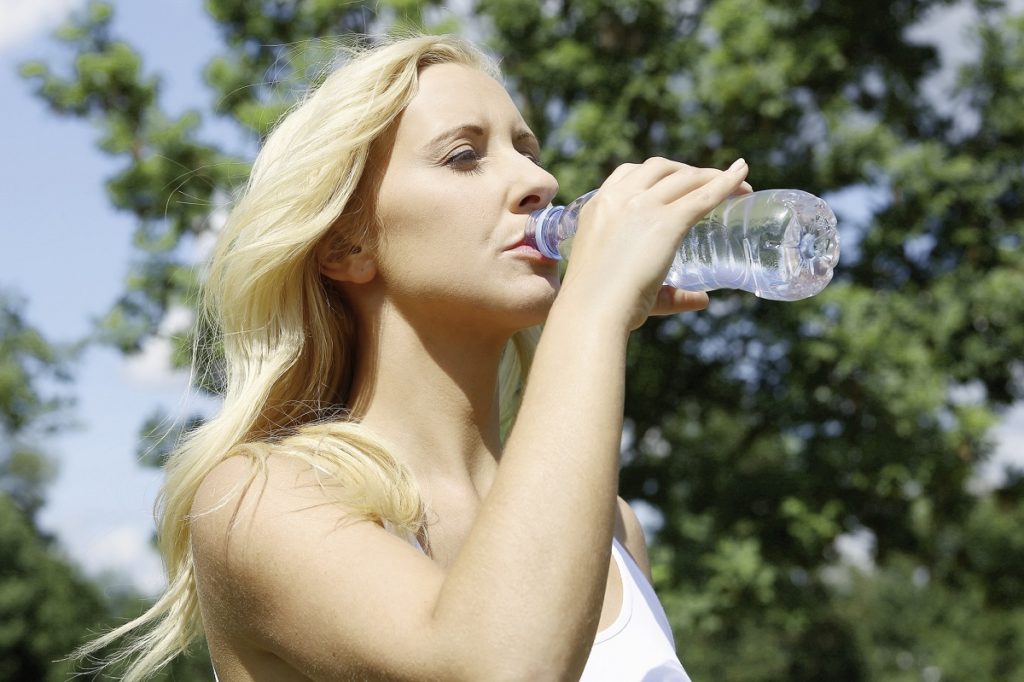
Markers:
point(67, 252)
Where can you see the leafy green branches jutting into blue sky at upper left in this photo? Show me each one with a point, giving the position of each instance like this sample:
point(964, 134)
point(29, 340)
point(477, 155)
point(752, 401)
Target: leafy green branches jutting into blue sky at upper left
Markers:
point(170, 181)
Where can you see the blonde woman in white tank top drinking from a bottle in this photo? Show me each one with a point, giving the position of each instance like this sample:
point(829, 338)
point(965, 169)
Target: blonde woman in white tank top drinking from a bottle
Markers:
point(363, 507)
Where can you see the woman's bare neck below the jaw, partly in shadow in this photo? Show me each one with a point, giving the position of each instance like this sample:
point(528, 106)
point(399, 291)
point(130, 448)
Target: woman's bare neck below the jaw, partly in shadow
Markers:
point(433, 395)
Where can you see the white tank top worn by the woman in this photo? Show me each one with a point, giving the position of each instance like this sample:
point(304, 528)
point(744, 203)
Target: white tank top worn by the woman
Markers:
point(638, 647)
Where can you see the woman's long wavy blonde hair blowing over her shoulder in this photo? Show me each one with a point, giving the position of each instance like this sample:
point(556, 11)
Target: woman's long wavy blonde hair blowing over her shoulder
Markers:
point(287, 336)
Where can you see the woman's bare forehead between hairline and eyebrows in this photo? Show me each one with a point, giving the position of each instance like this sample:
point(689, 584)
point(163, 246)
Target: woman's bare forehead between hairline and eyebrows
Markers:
point(455, 95)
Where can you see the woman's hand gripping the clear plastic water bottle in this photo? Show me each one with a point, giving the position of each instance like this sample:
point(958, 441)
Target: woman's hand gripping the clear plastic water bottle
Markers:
point(629, 234)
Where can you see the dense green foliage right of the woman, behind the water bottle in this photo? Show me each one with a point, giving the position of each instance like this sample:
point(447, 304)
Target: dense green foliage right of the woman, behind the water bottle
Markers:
point(766, 432)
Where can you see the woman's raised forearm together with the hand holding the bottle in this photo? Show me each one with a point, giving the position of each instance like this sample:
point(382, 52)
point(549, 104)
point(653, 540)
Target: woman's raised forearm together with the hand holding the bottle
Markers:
point(548, 522)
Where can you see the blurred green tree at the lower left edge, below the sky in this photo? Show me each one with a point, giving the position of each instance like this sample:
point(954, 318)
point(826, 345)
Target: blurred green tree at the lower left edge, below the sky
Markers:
point(45, 603)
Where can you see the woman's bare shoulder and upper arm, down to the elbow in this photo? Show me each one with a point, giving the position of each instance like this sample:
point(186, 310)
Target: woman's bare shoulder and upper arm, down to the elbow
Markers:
point(284, 570)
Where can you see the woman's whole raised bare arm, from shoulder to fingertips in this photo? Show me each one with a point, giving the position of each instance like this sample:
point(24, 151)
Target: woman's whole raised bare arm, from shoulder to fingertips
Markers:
point(339, 599)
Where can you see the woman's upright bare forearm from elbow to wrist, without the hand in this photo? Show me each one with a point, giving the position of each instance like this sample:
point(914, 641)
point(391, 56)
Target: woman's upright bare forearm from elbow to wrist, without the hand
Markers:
point(531, 576)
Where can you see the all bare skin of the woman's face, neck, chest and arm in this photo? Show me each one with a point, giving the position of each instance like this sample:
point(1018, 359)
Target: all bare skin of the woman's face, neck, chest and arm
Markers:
point(521, 578)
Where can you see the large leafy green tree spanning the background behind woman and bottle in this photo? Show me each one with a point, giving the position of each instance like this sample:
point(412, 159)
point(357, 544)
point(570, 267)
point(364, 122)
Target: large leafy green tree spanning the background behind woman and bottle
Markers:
point(762, 433)
